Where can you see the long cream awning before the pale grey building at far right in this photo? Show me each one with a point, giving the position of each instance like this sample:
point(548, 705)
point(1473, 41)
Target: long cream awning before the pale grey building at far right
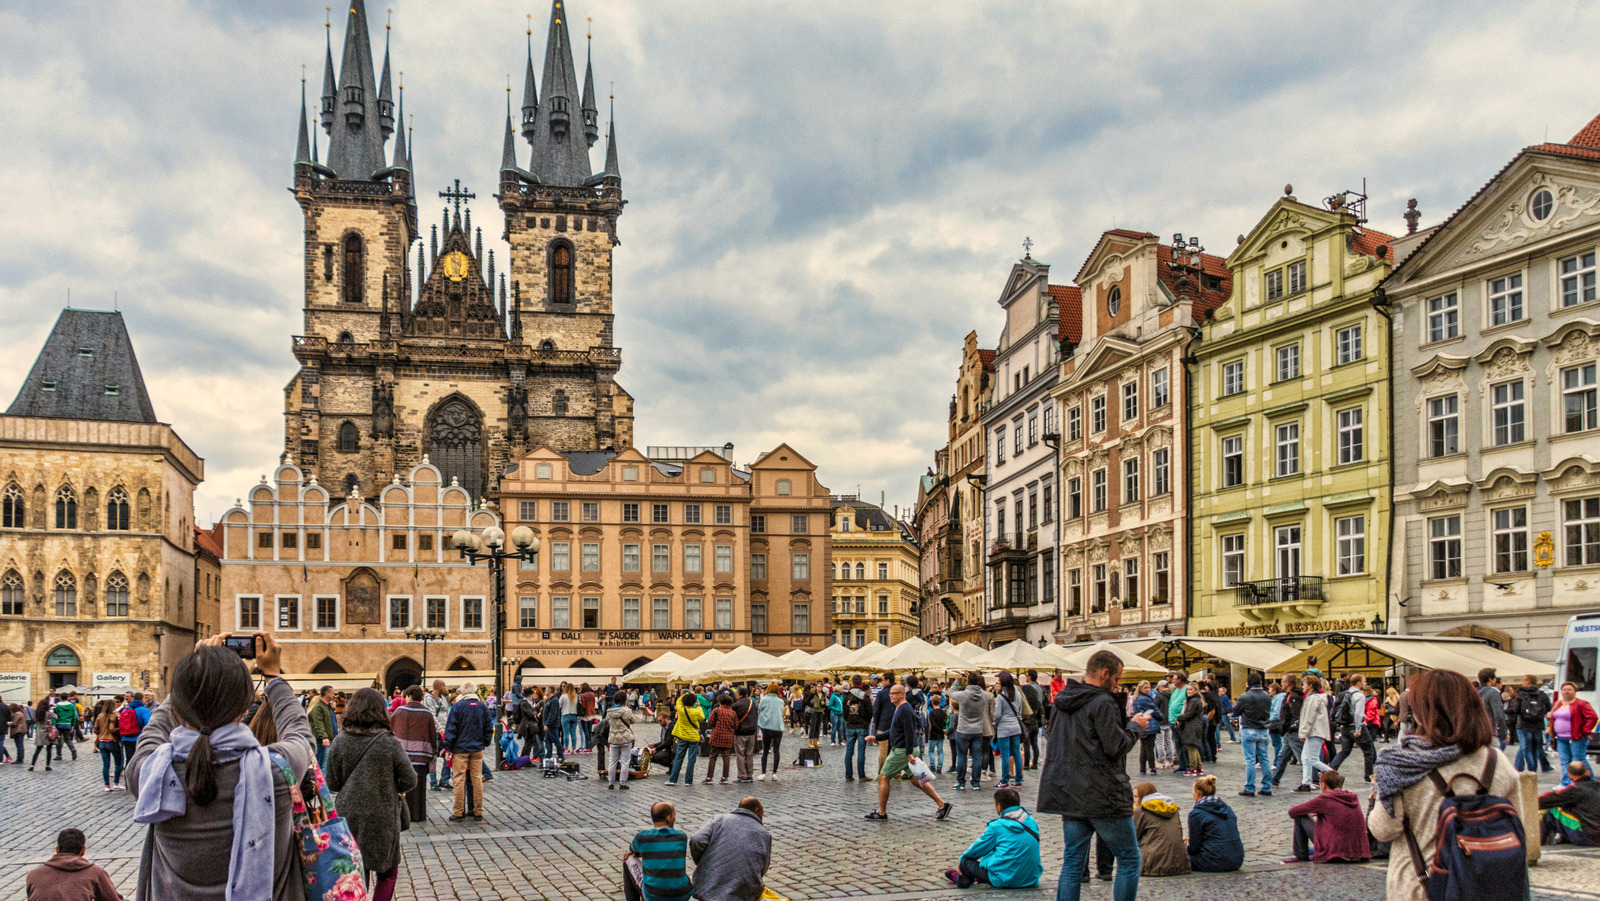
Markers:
point(1367, 652)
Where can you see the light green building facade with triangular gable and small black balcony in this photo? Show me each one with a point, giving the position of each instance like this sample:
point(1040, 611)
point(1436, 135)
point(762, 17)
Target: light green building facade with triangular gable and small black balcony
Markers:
point(1290, 423)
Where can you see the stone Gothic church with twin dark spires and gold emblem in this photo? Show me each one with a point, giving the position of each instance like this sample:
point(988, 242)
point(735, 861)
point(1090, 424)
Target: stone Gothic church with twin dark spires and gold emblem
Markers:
point(430, 351)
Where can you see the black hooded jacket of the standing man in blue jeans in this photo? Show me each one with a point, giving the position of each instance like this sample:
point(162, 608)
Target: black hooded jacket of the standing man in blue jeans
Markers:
point(1086, 771)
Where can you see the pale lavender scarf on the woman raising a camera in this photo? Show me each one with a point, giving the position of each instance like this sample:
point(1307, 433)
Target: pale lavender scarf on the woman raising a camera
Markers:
point(162, 798)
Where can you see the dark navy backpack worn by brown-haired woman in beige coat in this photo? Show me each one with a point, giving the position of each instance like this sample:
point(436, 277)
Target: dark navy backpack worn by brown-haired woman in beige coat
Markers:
point(1481, 851)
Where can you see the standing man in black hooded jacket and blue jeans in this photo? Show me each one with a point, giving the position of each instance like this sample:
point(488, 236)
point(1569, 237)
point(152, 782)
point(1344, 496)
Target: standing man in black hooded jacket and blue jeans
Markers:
point(1086, 777)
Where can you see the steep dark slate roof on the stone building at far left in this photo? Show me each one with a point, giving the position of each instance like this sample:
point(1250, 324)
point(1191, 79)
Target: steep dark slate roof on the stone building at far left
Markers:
point(87, 356)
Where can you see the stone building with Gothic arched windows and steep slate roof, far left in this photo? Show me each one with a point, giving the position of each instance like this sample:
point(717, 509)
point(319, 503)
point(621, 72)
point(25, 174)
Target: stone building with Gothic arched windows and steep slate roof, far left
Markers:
point(97, 510)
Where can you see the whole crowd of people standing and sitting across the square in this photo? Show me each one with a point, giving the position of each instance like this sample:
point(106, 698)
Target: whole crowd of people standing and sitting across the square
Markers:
point(212, 767)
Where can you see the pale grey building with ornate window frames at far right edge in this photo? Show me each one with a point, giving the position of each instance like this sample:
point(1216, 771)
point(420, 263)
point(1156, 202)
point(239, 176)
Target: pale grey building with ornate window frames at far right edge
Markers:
point(1497, 447)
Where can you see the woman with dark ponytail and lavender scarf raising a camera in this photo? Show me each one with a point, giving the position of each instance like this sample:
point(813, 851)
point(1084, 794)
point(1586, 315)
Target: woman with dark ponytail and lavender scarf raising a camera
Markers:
point(202, 783)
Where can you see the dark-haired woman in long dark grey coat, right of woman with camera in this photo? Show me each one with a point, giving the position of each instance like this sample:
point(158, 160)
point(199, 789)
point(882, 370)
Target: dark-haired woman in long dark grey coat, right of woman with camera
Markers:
point(372, 772)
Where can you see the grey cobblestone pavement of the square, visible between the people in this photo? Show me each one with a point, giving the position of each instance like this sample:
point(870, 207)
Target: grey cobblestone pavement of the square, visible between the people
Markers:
point(564, 839)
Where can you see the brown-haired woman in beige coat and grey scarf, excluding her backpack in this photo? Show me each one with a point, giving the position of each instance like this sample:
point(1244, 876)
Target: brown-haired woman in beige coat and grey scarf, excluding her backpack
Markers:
point(1450, 735)
